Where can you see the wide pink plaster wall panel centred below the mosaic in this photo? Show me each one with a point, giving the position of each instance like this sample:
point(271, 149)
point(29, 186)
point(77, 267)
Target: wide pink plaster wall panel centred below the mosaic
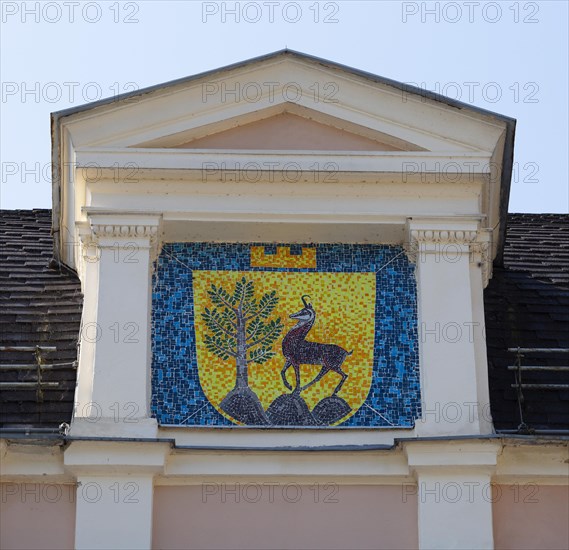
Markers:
point(332, 517)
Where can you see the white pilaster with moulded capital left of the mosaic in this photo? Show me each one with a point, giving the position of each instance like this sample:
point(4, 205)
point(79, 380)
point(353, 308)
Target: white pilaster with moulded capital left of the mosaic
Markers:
point(113, 395)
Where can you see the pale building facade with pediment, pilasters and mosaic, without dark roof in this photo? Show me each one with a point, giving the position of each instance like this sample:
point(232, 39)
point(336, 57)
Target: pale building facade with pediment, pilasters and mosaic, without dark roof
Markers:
point(282, 337)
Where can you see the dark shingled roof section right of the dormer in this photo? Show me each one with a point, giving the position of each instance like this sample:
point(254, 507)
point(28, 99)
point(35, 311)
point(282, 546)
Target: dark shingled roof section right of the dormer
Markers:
point(527, 305)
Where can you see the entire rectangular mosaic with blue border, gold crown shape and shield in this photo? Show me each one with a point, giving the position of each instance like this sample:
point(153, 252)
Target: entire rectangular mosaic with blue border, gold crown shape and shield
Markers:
point(284, 335)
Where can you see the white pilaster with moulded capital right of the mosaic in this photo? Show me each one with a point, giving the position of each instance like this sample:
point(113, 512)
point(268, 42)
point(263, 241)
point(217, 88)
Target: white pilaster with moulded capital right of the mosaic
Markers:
point(449, 289)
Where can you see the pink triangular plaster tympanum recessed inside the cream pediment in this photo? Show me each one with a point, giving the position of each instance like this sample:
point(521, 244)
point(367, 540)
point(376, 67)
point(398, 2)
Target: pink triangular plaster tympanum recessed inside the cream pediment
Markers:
point(286, 131)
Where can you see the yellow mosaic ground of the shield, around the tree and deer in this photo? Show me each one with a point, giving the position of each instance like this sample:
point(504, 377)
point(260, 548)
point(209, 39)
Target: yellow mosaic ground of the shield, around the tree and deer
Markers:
point(345, 316)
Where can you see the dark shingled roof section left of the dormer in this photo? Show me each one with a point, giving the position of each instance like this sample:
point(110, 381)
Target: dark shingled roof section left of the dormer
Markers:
point(40, 305)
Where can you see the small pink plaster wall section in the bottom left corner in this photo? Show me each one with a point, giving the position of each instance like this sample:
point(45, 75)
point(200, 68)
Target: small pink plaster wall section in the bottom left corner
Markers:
point(37, 516)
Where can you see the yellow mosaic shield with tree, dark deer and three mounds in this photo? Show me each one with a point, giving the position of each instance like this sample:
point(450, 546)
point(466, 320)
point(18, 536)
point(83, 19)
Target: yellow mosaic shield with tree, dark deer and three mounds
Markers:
point(255, 335)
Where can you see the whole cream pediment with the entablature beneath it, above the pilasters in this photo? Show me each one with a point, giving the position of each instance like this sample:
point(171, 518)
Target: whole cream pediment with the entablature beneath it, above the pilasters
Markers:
point(285, 146)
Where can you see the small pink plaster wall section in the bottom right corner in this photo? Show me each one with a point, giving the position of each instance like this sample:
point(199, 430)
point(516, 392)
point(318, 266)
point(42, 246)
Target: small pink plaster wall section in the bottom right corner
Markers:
point(529, 516)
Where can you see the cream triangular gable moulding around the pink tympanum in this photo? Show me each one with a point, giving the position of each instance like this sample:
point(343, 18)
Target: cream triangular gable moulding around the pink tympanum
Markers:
point(206, 105)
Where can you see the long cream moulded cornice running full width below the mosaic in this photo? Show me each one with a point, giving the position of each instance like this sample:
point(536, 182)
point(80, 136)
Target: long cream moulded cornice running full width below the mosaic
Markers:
point(512, 460)
